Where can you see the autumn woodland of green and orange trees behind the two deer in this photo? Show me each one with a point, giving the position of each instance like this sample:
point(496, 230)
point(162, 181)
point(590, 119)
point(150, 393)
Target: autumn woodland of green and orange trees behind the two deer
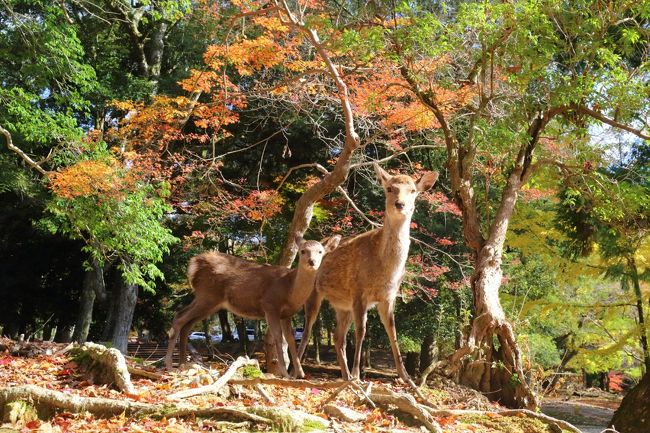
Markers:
point(137, 134)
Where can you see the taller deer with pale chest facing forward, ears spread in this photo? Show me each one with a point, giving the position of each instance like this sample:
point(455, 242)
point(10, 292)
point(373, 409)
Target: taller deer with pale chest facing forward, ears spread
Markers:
point(367, 270)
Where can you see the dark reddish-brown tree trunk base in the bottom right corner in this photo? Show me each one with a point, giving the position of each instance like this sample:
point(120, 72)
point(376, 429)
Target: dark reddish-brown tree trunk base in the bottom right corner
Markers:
point(633, 415)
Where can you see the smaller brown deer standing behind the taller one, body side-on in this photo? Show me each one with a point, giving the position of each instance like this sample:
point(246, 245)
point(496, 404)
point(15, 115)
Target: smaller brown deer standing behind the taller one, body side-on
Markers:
point(250, 290)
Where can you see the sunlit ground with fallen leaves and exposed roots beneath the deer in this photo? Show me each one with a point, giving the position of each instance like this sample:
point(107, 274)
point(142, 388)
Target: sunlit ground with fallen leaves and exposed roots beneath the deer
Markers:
point(48, 373)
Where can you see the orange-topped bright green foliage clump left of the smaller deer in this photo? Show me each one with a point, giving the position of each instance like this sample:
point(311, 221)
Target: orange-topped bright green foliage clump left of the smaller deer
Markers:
point(118, 215)
